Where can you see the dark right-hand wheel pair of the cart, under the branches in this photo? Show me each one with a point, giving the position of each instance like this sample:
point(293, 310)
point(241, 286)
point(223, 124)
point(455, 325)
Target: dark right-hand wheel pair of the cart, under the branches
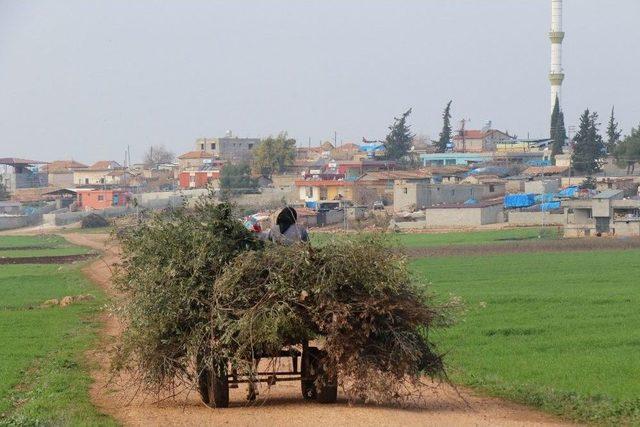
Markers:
point(312, 371)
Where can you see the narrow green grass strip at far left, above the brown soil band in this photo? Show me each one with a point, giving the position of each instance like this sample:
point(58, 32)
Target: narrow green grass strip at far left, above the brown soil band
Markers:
point(37, 246)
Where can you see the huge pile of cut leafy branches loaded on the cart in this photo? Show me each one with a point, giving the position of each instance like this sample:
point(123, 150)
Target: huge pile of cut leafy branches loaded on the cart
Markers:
point(201, 290)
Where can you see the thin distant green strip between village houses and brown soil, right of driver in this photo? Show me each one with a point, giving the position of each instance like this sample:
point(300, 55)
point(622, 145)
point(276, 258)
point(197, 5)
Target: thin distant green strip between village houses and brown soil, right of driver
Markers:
point(416, 240)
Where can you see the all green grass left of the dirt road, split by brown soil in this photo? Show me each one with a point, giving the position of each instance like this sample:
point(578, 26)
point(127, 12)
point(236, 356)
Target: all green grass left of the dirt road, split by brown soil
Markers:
point(44, 376)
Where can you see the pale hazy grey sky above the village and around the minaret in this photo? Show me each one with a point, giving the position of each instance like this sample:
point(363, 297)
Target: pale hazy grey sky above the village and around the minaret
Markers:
point(82, 79)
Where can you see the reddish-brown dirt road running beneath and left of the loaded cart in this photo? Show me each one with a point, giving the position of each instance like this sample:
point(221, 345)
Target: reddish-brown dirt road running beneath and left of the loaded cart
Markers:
point(283, 404)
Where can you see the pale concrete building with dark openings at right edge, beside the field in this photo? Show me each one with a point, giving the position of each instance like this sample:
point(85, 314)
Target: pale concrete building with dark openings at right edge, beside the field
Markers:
point(606, 213)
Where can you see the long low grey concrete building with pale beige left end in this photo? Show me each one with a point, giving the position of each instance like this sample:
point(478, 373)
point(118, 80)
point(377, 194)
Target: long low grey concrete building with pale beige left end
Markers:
point(412, 195)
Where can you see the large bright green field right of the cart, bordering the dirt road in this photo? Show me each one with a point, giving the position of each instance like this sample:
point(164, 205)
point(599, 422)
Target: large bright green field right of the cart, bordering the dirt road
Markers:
point(558, 331)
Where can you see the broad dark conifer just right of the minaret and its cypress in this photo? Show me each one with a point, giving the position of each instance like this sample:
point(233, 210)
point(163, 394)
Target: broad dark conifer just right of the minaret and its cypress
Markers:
point(589, 147)
